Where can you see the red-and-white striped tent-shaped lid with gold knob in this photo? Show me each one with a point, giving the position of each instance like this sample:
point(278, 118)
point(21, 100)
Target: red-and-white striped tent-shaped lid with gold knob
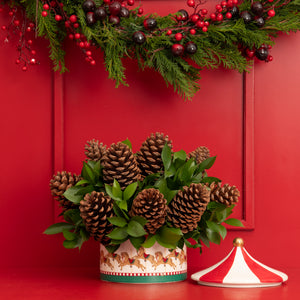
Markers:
point(239, 269)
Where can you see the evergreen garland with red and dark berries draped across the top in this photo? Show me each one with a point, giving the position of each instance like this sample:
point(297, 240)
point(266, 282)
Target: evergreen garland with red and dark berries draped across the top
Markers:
point(231, 42)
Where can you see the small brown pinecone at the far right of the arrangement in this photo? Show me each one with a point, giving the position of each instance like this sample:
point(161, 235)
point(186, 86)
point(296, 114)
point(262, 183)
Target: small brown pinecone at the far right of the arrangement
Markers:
point(225, 194)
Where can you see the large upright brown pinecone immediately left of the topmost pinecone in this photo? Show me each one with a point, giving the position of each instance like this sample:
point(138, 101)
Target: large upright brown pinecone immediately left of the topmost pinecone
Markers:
point(119, 163)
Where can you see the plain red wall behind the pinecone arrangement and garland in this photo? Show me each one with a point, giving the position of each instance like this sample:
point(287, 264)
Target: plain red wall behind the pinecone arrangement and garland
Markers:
point(44, 126)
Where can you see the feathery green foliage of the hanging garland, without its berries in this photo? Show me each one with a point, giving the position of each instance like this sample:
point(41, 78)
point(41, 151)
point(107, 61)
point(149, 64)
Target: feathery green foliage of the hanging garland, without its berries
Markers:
point(219, 46)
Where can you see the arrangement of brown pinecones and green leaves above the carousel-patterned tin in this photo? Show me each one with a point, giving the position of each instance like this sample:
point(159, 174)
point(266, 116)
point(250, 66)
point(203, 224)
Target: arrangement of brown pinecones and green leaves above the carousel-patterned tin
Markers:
point(152, 193)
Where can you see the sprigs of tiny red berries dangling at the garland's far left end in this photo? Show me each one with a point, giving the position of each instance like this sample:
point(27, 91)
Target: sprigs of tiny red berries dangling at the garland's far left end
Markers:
point(25, 31)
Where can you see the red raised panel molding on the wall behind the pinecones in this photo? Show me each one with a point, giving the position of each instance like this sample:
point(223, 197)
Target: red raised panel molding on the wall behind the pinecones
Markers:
point(247, 155)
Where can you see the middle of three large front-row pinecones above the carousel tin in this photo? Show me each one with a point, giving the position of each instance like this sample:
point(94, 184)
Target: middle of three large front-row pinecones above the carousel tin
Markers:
point(150, 204)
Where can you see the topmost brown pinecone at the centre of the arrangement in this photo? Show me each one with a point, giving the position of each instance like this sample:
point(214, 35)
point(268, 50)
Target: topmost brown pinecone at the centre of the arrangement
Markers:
point(149, 156)
